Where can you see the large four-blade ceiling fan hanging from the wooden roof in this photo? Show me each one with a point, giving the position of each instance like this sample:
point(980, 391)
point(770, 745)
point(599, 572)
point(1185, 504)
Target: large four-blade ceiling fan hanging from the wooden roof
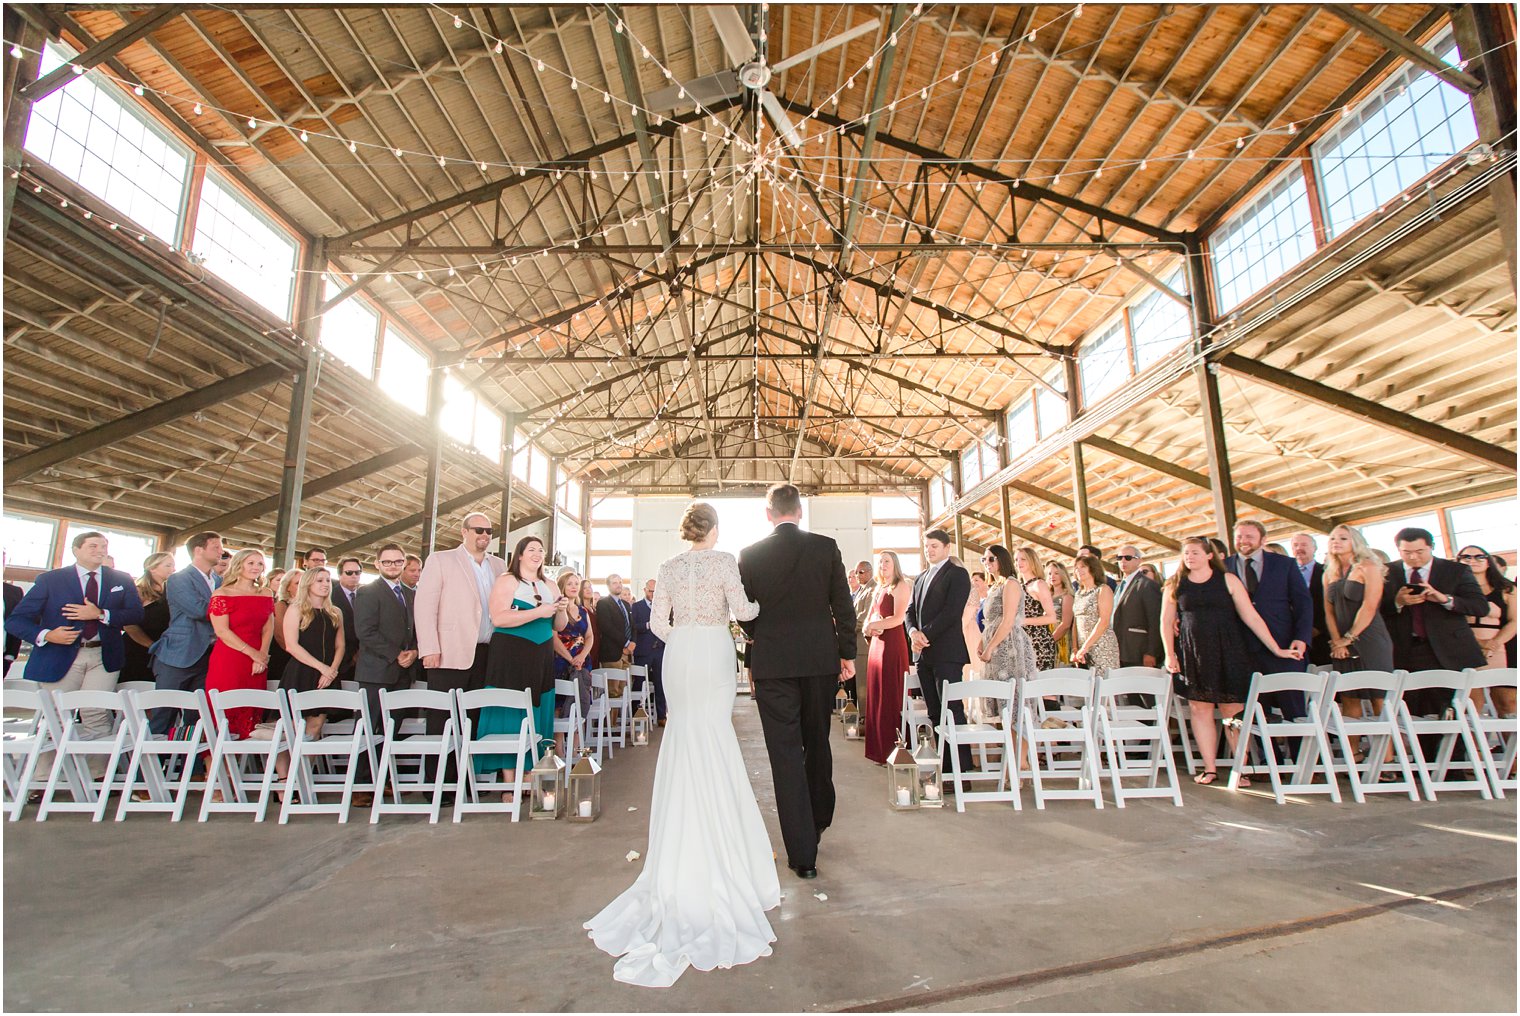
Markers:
point(750, 71)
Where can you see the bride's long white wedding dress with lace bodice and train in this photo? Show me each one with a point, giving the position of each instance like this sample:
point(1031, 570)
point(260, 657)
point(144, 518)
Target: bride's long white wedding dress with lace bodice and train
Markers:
point(709, 874)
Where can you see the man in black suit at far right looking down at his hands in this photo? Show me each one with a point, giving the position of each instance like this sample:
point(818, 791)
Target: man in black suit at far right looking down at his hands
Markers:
point(1427, 605)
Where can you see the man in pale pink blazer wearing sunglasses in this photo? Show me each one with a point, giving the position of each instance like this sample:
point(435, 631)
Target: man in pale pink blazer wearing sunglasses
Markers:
point(454, 626)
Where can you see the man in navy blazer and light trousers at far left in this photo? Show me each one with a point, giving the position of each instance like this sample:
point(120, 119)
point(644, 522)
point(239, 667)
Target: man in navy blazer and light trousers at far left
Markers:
point(74, 617)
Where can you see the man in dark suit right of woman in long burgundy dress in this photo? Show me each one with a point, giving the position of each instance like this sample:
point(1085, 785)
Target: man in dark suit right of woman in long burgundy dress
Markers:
point(934, 629)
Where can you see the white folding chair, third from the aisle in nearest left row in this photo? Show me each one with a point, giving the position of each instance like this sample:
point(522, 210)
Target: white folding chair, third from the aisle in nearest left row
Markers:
point(303, 786)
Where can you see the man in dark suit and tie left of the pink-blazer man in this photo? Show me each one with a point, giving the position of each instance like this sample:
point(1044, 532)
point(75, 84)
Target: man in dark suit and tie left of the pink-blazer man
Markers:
point(387, 626)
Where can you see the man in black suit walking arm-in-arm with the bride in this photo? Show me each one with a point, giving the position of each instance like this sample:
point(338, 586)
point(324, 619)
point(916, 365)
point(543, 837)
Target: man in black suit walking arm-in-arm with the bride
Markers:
point(803, 649)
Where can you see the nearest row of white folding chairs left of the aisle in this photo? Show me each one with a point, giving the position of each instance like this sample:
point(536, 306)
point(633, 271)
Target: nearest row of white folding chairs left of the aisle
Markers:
point(46, 751)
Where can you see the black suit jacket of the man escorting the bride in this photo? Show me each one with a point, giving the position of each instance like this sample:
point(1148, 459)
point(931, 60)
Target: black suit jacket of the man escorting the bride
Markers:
point(806, 623)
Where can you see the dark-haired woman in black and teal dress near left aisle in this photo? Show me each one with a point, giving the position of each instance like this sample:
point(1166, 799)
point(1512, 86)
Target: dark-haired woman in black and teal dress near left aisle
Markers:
point(527, 611)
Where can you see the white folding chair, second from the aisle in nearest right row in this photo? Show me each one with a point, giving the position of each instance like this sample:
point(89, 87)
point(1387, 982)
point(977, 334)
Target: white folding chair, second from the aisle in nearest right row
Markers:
point(1040, 741)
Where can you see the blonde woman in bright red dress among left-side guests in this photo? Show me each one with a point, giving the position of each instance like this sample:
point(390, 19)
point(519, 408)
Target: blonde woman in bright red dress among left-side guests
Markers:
point(244, 620)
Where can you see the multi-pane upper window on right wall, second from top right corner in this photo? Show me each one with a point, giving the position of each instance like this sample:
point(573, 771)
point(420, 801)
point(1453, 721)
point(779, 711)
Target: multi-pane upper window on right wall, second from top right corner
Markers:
point(1264, 241)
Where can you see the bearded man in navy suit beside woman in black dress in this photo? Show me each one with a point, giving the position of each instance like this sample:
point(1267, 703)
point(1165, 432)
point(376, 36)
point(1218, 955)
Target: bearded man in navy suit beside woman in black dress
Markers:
point(1282, 598)
